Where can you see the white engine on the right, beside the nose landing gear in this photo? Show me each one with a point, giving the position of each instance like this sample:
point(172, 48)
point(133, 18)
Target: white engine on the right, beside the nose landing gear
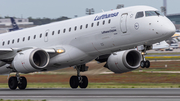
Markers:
point(124, 61)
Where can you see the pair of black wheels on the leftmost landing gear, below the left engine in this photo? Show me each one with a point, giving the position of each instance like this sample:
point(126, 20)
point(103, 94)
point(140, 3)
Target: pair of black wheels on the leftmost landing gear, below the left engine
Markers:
point(17, 81)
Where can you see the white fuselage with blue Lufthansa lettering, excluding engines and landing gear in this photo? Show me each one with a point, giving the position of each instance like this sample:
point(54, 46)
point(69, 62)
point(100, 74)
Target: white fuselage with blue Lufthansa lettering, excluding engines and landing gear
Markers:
point(100, 34)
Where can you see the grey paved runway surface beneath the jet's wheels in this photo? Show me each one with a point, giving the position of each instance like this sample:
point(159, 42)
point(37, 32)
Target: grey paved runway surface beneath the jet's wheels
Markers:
point(62, 94)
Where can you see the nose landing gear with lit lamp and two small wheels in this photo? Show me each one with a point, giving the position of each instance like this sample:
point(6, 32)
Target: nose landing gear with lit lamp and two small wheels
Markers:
point(144, 63)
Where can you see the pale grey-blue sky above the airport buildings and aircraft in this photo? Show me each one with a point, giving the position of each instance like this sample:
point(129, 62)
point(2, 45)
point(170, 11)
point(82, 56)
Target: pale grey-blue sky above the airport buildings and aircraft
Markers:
point(70, 8)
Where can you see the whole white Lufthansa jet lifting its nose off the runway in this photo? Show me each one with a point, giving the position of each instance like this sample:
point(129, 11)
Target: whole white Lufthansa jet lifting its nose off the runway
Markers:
point(106, 37)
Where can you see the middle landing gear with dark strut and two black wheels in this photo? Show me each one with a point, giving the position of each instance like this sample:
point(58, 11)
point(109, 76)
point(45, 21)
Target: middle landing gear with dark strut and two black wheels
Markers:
point(81, 81)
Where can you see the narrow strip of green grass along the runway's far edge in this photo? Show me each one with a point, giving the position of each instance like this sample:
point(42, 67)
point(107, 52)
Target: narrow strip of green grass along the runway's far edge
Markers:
point(102, 85)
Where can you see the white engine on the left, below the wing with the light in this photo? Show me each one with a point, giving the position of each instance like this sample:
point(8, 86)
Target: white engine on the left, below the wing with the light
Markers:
point(30, 60)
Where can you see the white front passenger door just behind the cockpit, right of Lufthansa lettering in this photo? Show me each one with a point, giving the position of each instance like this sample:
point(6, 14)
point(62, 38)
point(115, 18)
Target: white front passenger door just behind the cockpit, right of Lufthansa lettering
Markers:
point(123, 22)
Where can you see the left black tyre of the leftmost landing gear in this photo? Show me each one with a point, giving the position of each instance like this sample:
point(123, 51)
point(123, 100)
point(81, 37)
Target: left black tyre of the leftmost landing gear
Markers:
point(12, 83)
